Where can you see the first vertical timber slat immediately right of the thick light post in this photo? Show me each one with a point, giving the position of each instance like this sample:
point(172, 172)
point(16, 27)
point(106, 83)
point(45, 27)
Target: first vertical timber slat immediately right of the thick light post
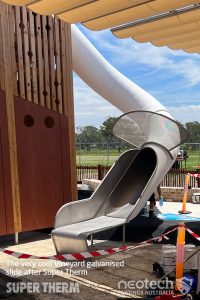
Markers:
point(20, 60)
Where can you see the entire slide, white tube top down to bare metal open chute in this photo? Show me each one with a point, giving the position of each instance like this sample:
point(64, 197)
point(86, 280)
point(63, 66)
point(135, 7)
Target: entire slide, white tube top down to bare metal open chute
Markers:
point(137, 173)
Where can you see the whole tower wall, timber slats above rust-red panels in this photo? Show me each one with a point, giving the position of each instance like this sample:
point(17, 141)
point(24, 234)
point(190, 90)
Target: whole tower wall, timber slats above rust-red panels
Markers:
point(35, 82)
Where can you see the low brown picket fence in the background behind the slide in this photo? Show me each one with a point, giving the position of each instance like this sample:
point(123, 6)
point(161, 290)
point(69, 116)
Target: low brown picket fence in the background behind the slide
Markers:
point(174, 178)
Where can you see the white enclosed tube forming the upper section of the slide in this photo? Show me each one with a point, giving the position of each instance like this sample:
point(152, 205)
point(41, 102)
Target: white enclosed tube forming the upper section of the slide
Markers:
point(103, 78)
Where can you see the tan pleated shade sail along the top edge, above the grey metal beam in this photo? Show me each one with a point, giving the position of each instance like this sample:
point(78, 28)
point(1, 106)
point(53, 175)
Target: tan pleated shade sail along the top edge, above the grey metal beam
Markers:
point(100, 14)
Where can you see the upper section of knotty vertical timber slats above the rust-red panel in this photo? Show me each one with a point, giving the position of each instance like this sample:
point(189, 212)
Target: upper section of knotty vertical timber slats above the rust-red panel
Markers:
point(40, 59)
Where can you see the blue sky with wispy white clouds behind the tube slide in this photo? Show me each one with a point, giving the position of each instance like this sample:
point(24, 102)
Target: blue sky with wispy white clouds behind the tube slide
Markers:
point(172, 77)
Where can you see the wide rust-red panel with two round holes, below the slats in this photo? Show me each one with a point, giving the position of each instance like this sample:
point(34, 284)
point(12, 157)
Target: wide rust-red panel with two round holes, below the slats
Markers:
point(40, 164)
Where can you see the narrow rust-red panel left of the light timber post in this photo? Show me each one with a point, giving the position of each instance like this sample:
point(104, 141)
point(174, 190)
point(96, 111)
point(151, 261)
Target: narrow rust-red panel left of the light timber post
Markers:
point(6, 213)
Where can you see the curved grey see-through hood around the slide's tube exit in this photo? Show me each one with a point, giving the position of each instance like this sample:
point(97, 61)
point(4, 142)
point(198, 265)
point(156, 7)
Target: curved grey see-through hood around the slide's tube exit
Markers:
point(141, 127)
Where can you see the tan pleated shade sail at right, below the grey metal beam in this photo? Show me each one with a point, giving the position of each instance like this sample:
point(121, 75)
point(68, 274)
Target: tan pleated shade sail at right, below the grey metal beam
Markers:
point(177, 30)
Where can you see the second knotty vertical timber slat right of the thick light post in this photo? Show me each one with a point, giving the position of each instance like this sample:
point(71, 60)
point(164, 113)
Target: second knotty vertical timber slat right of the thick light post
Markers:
point(25, 40)
